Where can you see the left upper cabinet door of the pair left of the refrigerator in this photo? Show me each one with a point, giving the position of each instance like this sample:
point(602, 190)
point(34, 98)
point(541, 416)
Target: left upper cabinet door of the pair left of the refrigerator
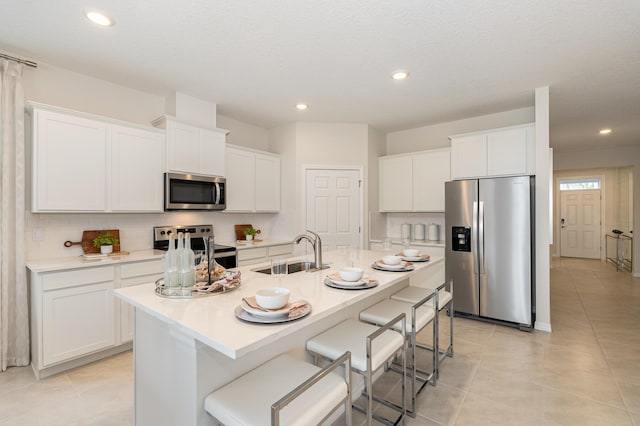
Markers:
point(396, 179)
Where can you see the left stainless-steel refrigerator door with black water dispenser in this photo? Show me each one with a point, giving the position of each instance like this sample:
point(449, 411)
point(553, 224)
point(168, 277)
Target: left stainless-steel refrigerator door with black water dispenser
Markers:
point(460, 243)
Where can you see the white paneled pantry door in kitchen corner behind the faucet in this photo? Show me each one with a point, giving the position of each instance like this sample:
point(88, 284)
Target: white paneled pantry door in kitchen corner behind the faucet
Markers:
point(333, 207)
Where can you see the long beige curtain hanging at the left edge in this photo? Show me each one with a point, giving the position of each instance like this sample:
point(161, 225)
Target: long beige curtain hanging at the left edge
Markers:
point(14, 303)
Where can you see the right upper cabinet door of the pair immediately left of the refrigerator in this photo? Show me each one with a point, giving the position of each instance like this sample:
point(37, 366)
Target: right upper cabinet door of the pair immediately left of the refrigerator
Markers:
point(430, 171)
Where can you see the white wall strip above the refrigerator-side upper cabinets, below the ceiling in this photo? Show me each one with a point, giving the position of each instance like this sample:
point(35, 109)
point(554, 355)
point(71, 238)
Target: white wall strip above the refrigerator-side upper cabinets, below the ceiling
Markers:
point(436, 136)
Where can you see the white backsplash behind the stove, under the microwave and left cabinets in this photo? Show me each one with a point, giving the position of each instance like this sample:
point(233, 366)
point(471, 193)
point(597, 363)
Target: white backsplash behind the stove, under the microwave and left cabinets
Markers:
point(136, 230)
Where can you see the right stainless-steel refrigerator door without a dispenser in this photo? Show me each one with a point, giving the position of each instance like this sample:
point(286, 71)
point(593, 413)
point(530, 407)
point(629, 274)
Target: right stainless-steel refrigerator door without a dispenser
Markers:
point(505, 249)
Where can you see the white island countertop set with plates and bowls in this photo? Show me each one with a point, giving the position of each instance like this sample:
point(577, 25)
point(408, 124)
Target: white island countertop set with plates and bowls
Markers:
point(212, 321)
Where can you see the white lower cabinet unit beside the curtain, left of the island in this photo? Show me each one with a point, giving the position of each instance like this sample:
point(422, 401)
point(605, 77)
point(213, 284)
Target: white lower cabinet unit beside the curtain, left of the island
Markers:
point(75, 318)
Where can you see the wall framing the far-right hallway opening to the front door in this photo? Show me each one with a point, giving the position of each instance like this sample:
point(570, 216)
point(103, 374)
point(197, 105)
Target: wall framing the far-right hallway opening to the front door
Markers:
point(627, 156)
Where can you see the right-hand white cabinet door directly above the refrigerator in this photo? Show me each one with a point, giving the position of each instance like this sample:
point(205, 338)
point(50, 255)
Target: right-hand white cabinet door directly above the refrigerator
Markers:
point(507, 152)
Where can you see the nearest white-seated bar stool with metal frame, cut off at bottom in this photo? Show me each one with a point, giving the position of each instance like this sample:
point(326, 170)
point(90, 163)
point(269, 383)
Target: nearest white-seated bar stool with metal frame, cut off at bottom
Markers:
point(307, 394)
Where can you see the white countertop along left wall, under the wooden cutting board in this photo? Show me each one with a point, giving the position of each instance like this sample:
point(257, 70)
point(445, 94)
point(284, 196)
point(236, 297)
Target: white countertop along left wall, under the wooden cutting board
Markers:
point(75, 262)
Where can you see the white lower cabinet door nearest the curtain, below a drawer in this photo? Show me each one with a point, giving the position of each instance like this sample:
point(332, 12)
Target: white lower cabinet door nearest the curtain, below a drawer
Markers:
point(77, 321)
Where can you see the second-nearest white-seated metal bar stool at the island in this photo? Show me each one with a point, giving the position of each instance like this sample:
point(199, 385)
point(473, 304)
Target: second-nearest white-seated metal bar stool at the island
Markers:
point(371, 347)
